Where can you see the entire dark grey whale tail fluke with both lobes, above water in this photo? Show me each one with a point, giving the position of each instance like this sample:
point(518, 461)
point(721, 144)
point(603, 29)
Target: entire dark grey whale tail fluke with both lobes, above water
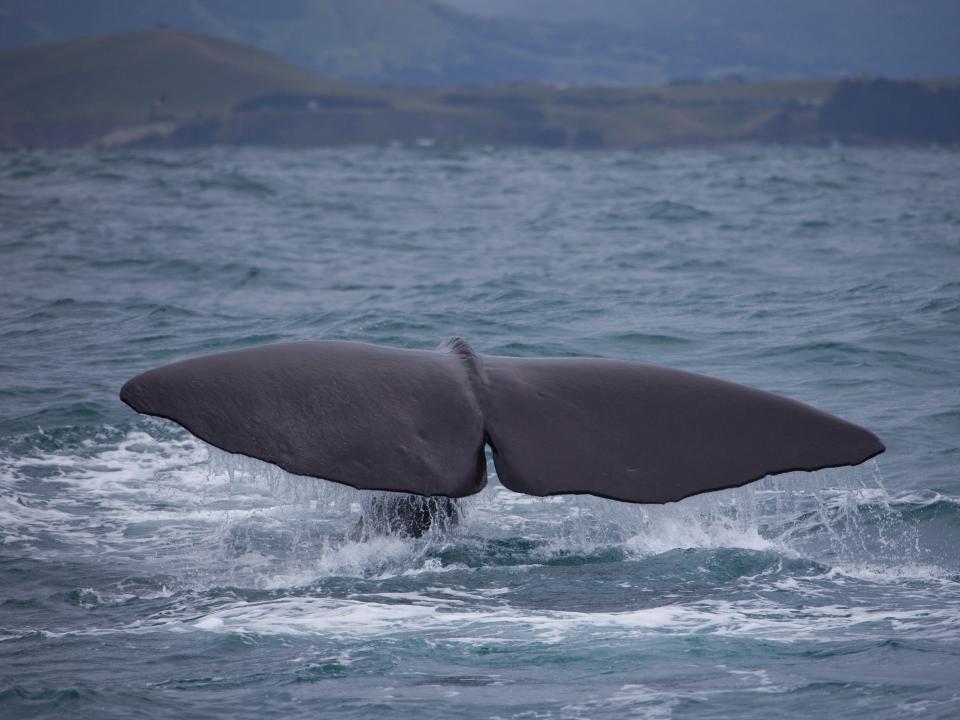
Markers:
point(417, 421)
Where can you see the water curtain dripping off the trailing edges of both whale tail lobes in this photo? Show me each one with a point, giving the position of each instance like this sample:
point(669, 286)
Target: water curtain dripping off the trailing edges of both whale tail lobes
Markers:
point(842, 517)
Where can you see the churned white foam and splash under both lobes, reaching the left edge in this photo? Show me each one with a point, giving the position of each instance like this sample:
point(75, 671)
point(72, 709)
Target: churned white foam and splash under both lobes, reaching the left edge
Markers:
point(232, 519)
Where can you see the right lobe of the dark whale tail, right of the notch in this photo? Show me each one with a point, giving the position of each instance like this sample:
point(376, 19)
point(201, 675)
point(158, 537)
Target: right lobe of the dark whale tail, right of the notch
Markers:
point(648, 434)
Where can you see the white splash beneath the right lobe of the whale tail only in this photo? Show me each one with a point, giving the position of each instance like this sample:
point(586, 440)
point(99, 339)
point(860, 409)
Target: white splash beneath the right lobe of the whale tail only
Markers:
point(843, 518)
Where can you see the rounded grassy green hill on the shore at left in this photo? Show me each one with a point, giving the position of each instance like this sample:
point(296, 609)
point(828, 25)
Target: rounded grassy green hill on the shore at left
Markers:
point(122, 75)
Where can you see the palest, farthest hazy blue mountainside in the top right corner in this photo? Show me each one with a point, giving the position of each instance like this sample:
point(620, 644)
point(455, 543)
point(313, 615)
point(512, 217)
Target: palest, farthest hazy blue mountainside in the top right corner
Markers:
point(765, 38)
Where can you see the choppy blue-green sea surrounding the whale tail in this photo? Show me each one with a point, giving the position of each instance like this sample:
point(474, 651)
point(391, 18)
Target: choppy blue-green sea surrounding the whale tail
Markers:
point(143, 574)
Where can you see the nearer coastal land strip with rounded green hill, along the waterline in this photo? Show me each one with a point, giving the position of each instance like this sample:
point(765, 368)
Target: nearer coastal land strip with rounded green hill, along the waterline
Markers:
point(169, 88)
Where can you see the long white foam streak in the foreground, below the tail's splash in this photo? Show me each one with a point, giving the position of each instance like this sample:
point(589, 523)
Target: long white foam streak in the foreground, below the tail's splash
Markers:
point(447, 620)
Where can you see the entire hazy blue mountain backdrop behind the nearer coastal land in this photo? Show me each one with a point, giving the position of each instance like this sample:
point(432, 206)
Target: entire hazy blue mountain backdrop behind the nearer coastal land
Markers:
point(570, 42)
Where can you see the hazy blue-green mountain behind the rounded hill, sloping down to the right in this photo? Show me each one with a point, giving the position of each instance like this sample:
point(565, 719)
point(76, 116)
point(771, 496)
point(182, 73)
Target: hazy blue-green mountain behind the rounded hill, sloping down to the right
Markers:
point(396, 42)
